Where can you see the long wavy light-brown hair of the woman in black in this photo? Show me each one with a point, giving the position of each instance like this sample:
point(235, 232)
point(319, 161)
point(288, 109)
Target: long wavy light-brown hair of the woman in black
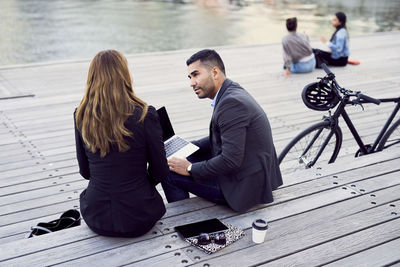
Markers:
point(108, 102)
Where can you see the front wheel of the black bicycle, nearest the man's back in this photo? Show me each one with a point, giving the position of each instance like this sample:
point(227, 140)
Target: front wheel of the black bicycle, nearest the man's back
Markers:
point(305, 149)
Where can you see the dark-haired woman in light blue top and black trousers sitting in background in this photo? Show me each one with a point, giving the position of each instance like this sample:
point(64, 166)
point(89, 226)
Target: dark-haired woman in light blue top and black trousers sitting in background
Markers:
point(338, 44)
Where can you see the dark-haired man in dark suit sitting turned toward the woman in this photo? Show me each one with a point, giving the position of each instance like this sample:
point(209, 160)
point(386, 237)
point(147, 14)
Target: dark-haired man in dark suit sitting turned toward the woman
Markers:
point(237, 163)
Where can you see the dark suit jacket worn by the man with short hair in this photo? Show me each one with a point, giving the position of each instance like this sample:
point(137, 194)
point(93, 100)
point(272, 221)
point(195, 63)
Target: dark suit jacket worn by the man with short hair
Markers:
point(242, 149)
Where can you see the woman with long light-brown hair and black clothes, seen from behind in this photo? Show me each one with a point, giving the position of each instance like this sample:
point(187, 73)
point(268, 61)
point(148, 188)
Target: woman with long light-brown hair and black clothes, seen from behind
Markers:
point(120, 151)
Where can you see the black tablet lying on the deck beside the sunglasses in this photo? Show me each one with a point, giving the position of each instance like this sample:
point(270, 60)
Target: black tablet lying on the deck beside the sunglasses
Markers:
point(194, 229)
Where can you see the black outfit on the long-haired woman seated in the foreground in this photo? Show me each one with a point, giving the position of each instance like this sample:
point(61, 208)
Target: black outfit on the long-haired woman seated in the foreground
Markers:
point(121, 199)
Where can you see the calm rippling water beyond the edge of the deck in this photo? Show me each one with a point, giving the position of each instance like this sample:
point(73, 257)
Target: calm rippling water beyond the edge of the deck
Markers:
point(41, 30)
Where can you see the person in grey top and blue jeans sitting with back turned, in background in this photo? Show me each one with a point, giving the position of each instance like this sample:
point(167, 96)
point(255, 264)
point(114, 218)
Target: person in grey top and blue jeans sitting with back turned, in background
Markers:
point(297, 51)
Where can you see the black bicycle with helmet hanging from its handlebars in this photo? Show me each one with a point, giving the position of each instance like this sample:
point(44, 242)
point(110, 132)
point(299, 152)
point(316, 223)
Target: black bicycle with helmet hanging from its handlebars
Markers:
point(323, 140)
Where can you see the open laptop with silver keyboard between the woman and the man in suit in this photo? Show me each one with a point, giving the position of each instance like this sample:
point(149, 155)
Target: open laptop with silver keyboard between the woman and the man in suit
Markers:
point(175, 146)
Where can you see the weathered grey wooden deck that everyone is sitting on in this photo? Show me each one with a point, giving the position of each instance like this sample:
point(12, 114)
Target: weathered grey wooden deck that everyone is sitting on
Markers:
point(342, 214)
